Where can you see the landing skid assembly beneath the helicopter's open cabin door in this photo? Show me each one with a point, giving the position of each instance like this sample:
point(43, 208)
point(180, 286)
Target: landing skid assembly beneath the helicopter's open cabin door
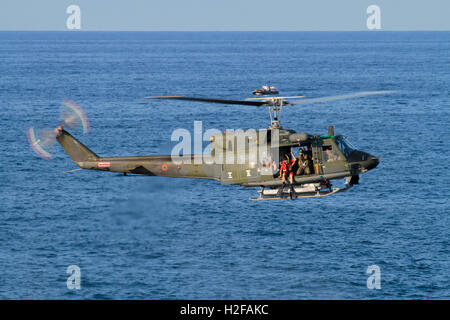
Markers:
point(302, 191)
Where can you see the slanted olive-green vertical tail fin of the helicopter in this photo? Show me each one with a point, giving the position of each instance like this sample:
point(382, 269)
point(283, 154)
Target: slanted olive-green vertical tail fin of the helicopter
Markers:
point(77, 151)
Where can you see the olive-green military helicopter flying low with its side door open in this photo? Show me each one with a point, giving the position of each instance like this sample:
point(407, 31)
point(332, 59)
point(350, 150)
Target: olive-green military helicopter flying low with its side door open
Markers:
point(329, 156)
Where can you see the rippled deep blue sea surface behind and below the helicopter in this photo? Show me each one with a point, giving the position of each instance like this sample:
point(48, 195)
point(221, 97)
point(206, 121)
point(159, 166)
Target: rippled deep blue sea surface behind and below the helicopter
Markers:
point(139, 237)
